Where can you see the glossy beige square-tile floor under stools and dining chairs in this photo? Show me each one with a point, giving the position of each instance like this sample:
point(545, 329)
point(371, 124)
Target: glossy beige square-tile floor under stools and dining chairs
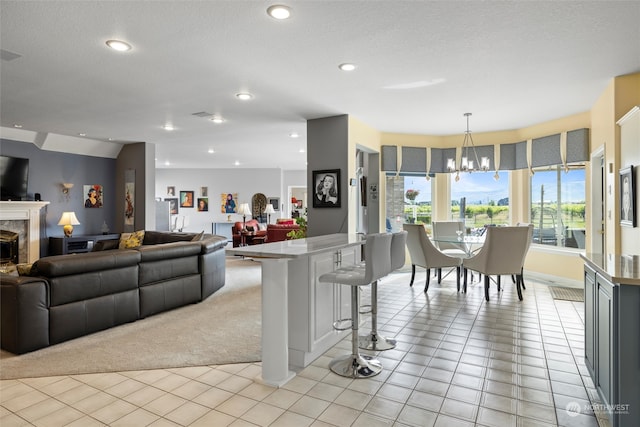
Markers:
point(459, 362)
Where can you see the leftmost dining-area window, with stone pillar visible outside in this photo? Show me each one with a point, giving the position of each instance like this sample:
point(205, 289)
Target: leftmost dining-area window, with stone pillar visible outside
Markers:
point(408, 200)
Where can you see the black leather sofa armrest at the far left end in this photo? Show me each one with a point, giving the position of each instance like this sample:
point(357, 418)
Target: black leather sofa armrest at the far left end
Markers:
point(24, 313)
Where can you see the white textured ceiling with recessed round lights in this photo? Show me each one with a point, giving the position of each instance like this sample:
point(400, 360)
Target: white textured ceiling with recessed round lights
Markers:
point(512, 64)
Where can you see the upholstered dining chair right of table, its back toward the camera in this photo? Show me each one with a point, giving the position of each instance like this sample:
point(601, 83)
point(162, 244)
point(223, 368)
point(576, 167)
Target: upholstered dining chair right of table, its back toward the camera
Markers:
point(503, 252)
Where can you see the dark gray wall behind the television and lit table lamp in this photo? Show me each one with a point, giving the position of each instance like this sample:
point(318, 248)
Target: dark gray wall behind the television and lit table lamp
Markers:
point(49, 169)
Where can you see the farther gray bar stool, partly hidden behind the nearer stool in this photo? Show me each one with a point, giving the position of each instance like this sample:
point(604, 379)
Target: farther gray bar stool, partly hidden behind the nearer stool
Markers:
point(375, 341)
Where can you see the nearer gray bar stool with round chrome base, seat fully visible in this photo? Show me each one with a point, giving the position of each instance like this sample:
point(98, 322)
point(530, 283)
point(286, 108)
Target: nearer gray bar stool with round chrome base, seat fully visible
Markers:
point(377, 264)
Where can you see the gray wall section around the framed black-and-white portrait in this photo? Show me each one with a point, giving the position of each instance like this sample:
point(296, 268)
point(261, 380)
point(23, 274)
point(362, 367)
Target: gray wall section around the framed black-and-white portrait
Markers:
point(327, 148)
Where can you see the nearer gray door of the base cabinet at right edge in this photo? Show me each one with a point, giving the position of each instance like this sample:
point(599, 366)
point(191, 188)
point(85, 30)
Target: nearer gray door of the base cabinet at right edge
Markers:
point(605, 339)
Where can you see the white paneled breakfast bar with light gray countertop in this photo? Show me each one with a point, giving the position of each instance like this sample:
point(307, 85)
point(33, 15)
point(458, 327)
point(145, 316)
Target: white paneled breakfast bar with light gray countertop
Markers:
point(297, 311)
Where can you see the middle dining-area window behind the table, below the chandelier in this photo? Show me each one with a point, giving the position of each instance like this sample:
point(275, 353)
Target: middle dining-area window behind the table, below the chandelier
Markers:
point(485, 199)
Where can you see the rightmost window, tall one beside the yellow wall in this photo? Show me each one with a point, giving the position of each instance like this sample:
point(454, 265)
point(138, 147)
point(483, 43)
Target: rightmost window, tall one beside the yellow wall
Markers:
point(558, 205)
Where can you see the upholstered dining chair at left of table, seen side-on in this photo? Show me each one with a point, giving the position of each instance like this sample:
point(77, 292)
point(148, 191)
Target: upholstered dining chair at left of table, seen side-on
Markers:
point(424, 254)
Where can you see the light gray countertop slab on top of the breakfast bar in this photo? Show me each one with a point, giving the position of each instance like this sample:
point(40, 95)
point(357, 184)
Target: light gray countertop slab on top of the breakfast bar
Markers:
point(299, 247)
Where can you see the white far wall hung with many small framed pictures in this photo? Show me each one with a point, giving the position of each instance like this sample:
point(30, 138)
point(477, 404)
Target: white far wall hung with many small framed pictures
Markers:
point(245, 182)
